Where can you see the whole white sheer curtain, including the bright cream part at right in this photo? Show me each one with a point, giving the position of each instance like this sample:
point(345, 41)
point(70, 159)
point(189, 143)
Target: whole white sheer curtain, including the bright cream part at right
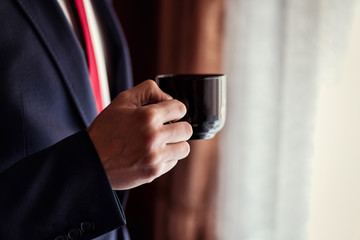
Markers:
point(292, 68)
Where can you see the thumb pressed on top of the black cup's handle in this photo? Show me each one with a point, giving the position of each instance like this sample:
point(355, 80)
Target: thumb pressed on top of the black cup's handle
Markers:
point(148, 92)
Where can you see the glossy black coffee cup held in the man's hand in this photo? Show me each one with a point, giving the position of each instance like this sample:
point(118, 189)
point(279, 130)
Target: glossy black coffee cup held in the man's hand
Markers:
point(204, 96)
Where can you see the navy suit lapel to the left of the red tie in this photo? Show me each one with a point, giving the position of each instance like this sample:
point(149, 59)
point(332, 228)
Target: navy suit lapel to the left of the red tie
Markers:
point(58, 37)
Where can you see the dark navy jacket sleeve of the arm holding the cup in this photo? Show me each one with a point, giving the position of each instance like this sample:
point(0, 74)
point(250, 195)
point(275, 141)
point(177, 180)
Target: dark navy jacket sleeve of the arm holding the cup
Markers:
point(60, 191)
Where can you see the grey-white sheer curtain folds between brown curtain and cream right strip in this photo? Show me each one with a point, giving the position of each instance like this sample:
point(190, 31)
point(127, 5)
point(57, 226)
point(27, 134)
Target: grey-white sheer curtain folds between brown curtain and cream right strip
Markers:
point(270, 60)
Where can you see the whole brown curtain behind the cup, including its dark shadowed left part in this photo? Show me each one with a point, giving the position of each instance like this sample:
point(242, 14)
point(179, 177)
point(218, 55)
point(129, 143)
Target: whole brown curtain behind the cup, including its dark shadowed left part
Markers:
point(176, 37)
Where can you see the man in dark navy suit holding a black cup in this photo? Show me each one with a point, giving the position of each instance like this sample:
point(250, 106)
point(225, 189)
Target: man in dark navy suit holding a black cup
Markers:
point(60, 161)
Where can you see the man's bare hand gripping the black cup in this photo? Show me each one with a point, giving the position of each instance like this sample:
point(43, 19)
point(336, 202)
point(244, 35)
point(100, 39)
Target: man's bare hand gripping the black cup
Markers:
point(133, 143)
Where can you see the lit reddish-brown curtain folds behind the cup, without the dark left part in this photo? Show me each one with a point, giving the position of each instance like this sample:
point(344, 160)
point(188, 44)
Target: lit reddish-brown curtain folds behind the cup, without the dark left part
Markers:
point(190, 41)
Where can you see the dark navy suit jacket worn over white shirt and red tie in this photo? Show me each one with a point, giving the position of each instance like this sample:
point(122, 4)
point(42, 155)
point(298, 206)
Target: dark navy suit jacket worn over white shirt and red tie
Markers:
point(52, 183)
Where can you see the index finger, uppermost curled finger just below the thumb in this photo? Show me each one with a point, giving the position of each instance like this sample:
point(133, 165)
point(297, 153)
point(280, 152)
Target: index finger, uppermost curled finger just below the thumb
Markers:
point(167, 111)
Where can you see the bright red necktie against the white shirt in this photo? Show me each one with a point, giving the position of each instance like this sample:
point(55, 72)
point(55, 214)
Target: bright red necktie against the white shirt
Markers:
point(93, 71)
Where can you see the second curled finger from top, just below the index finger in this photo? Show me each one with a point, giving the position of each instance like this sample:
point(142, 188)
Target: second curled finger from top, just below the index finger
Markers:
point(177, 132)
